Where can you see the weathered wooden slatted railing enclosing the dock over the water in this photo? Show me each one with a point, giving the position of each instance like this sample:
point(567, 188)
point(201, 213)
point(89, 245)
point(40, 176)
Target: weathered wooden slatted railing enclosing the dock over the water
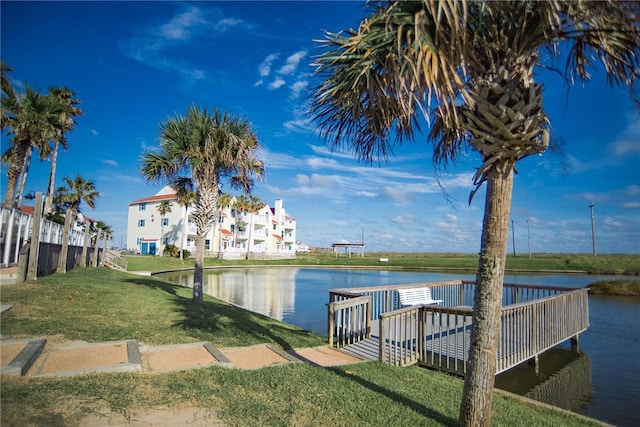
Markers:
point(534, 318)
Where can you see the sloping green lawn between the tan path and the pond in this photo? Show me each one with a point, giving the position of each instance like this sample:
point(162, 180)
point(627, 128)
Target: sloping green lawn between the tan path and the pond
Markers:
point(105, 305)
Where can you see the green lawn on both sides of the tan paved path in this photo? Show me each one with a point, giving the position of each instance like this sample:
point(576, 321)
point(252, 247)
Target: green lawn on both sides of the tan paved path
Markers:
point(101, 305)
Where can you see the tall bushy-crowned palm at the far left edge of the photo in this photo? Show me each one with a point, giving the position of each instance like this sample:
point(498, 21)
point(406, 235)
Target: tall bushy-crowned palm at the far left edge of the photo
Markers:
point(32, 119)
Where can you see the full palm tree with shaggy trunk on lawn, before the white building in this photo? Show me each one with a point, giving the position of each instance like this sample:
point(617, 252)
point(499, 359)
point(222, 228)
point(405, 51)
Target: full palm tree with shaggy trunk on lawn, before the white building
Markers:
point(209, 148)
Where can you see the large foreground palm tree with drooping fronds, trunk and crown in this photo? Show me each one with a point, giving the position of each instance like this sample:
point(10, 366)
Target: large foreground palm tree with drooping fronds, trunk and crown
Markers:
point(468, 69)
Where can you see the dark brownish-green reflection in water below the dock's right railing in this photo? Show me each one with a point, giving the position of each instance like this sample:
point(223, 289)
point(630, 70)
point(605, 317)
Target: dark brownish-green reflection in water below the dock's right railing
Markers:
point(562, 379)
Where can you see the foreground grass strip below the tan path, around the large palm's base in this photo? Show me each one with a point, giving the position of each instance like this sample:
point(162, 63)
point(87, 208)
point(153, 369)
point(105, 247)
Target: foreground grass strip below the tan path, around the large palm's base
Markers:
point(295, 395)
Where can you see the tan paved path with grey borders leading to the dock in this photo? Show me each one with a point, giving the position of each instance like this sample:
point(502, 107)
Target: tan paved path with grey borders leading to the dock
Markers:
point(54, 356)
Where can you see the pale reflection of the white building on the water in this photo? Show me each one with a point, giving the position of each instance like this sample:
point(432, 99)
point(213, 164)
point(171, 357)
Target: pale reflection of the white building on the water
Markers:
point(268, 291)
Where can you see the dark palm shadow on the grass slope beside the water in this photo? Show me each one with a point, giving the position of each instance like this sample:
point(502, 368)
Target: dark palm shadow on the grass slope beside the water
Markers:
point(219, 319)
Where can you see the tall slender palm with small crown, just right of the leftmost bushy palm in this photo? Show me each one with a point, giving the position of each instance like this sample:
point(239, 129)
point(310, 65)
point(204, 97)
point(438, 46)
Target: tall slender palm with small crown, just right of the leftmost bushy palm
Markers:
point(68, 105)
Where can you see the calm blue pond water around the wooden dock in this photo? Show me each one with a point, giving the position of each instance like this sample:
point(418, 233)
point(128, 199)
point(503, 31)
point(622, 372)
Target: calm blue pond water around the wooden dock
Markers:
point(601, 380)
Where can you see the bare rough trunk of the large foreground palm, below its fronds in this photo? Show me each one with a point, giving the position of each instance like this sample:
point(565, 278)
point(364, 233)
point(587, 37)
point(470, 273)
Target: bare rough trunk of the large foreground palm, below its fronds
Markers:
point(475, 409)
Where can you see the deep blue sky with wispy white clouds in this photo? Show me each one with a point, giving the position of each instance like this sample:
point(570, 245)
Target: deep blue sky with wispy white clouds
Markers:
point(134, 64)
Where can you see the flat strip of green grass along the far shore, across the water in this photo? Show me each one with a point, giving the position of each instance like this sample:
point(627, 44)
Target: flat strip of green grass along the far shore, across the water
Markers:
point(602, 264)
